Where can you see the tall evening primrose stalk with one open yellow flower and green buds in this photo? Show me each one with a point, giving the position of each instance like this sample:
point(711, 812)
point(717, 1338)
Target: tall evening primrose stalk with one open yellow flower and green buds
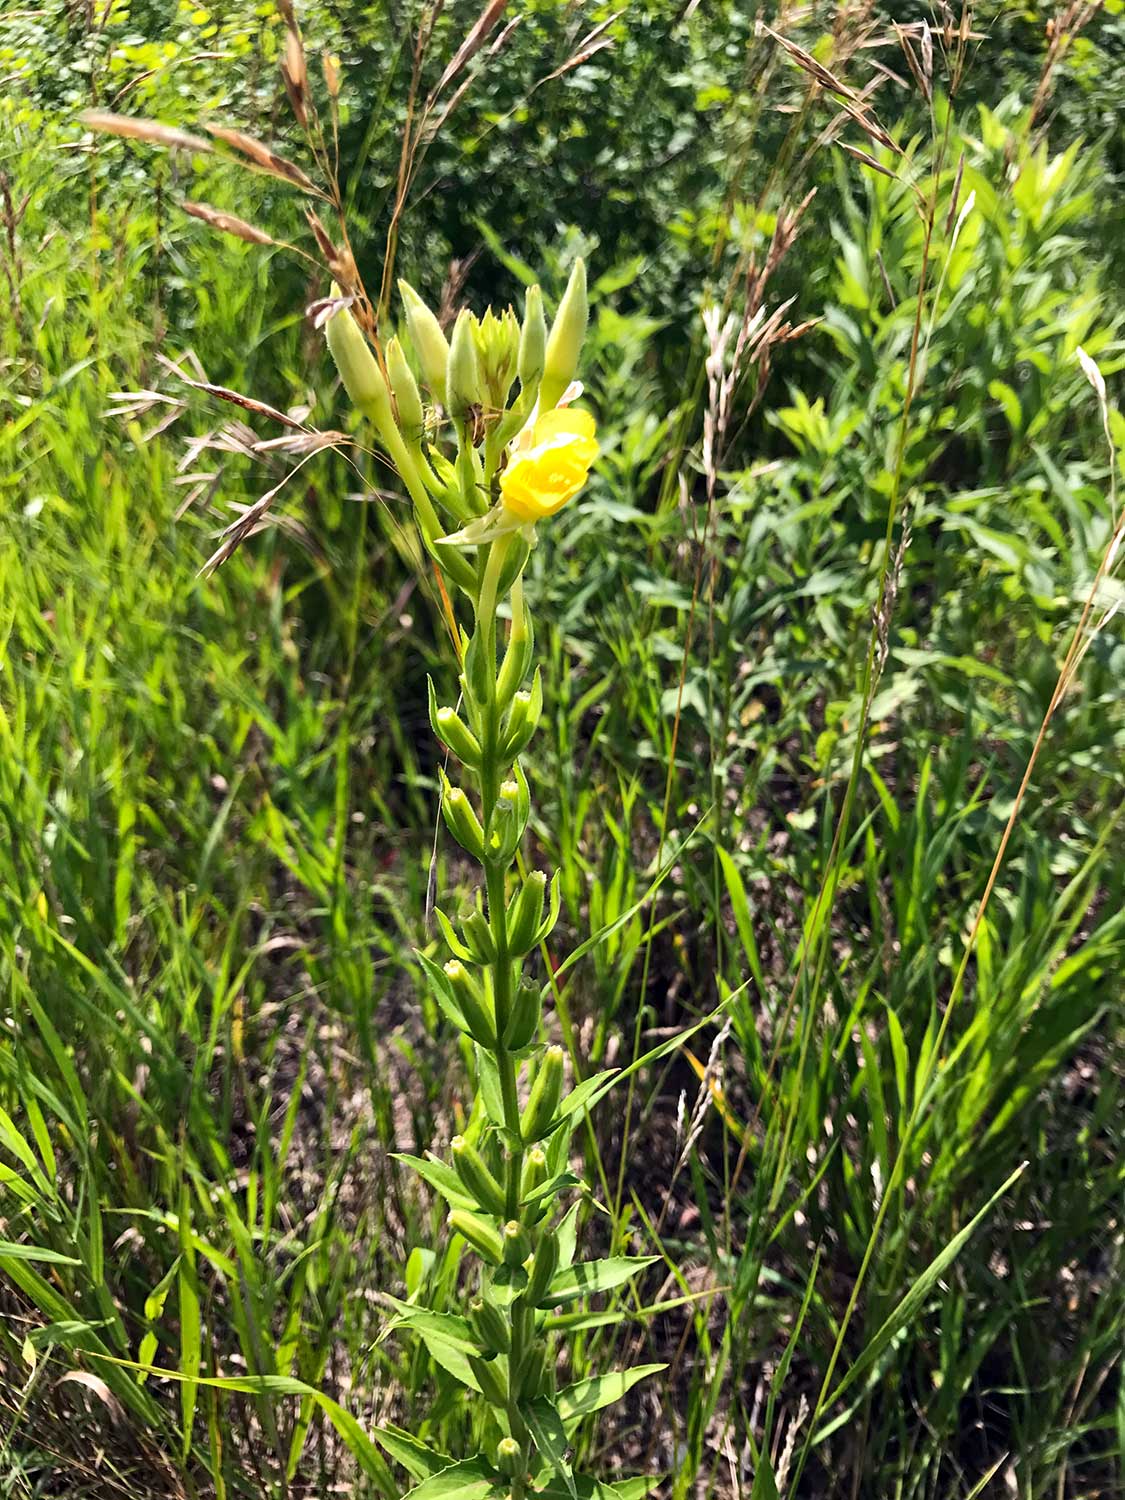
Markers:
point(518, 452)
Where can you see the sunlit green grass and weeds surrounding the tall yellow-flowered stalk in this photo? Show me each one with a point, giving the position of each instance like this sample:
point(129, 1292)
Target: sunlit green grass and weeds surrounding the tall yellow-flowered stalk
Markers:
point(811, 667)
